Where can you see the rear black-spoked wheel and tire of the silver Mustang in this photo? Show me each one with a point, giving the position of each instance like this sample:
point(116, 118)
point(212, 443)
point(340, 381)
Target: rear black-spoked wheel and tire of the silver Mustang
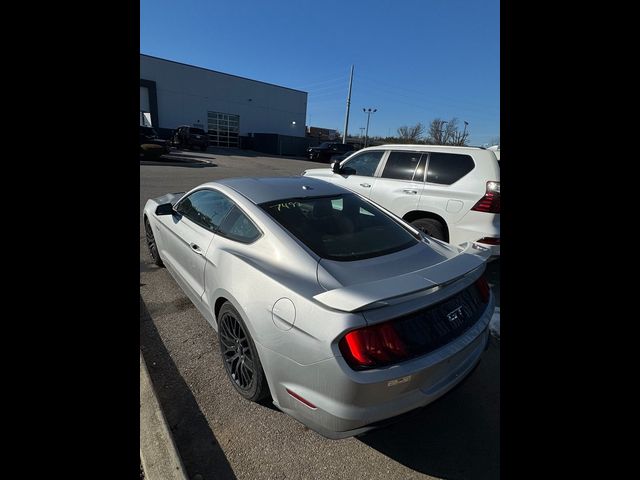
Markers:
point(239, 355)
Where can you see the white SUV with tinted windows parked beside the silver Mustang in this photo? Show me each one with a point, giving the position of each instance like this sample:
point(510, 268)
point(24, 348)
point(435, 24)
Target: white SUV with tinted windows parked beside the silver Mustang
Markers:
point(450, 193)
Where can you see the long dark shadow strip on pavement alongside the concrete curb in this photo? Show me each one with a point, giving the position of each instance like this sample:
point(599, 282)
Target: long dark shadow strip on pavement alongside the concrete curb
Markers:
point(195, 441)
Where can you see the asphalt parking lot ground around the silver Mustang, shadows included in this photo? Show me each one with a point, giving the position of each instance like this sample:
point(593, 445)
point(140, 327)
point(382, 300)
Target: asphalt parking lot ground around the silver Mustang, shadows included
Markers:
point(219, 435)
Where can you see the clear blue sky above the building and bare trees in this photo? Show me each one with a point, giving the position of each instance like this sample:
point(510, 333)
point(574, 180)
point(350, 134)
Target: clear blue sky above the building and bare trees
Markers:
point(415, 60)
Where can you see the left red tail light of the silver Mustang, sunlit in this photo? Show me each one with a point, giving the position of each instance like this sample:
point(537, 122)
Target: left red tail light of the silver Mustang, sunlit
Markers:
point(373, 346)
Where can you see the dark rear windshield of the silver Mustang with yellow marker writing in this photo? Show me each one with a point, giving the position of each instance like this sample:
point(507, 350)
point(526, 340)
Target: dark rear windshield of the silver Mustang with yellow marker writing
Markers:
point(341, 227)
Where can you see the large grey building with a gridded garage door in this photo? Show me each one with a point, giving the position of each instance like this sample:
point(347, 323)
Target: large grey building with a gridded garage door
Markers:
point(227, 106)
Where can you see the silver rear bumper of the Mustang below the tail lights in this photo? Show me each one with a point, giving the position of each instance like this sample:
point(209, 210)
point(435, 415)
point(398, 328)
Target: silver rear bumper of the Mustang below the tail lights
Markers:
point(352, 402)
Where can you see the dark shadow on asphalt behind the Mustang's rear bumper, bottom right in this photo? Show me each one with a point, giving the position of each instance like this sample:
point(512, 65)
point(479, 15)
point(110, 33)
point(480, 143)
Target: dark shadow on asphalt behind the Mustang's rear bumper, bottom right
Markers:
point(456, 437)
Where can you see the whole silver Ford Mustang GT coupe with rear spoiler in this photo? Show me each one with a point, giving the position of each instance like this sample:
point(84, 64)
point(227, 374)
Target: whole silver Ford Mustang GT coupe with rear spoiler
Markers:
point(342, 313)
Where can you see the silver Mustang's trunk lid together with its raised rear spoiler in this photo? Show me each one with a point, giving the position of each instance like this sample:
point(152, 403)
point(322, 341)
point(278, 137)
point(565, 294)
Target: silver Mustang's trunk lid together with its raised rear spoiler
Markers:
point(398, 275)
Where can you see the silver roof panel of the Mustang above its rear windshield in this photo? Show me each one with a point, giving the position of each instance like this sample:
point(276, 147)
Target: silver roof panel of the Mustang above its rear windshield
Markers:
point(268, 189)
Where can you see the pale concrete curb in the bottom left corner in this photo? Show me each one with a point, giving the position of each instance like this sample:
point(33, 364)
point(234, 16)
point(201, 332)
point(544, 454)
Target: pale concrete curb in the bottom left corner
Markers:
point(158, 453)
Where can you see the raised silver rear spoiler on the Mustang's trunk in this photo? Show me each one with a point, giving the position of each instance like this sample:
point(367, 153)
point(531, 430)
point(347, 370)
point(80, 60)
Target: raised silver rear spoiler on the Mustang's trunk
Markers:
point(363, 295)
